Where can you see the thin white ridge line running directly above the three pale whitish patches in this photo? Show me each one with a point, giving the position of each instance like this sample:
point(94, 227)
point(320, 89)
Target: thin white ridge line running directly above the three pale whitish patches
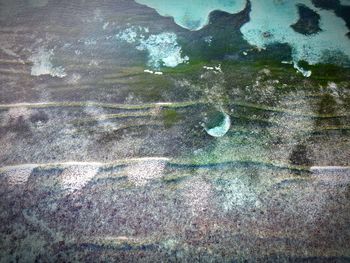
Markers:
point(74, 163)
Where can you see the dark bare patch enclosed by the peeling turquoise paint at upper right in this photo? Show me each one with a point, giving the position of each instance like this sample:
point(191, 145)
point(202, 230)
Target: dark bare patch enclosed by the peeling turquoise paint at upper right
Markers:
point(309, 21)
